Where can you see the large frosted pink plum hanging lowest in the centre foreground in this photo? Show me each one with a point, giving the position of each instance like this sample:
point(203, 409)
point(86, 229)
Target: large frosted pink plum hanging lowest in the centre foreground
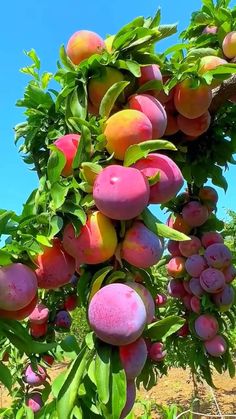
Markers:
point(117, 321)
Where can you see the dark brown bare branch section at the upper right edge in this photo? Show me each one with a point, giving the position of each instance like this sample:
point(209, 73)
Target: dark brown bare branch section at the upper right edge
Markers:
point(222, 93)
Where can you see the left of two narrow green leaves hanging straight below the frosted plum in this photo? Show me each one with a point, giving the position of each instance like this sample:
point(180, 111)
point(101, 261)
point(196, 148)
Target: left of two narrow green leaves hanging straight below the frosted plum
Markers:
point(102, 372)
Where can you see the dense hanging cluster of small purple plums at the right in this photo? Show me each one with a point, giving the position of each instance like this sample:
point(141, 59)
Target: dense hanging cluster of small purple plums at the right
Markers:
point(201, 267)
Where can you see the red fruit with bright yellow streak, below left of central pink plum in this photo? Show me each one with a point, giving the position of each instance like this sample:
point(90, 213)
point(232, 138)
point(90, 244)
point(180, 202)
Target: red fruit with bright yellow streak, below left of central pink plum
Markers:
point(95, 243)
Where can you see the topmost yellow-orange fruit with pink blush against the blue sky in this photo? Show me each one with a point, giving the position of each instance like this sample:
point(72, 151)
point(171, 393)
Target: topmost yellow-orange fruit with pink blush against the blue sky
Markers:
point(83, 44)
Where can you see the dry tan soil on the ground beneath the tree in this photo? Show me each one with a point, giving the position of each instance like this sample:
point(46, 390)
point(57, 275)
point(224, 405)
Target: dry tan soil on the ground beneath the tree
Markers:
point(176, 389)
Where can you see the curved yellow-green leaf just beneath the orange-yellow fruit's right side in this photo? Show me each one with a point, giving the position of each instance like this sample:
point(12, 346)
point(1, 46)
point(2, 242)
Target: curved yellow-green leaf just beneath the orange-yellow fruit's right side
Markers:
point(138, 151)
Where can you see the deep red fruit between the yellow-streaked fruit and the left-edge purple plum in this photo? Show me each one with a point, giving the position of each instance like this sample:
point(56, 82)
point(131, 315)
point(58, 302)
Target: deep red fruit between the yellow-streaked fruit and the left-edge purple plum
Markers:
point(55, 266)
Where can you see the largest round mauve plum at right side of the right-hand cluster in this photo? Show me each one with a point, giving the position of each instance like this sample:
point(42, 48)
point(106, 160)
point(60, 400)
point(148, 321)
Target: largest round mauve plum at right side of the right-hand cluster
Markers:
point(218, 256)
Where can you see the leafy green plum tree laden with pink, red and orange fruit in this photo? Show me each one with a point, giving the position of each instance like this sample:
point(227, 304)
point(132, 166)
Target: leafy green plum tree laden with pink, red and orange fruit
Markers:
point(118, 127)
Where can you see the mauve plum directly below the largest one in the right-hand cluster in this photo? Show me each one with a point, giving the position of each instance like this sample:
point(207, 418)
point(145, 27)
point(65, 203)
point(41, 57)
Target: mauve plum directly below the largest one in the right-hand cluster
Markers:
point(212, 280)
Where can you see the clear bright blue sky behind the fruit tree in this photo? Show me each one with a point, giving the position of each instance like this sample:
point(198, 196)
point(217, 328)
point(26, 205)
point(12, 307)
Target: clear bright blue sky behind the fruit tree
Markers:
point(44, 26)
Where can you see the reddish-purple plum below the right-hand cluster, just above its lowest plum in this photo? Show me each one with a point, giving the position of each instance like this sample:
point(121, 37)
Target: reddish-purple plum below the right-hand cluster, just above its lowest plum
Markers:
point(206, 326)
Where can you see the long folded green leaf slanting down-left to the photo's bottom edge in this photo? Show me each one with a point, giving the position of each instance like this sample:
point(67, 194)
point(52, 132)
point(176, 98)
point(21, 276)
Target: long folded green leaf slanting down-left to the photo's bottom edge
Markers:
point(68, 392)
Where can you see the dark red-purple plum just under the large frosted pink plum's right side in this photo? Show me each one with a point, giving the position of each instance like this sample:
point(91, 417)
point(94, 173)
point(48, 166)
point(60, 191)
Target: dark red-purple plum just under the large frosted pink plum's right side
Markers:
point(133, 358)
